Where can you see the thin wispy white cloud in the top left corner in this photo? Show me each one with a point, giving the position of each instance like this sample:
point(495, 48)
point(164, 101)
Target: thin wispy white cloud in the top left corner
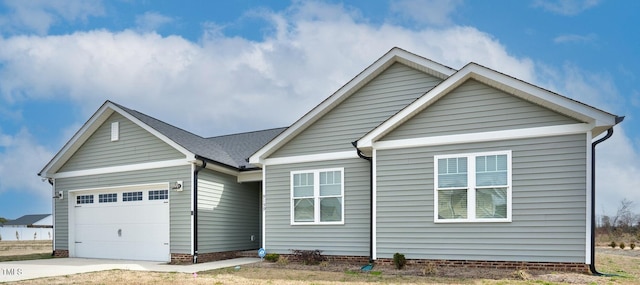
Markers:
point(39, 15)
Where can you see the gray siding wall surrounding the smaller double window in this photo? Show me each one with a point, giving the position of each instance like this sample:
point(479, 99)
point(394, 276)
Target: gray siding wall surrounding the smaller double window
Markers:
point(352, 238)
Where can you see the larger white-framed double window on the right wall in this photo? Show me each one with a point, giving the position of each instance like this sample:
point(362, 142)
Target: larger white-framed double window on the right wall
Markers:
point(473, 187)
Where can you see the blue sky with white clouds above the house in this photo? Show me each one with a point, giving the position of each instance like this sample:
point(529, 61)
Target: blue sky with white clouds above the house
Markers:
point(219, 67)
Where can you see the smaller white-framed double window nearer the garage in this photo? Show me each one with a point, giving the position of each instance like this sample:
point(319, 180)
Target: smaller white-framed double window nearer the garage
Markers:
point(317, 196)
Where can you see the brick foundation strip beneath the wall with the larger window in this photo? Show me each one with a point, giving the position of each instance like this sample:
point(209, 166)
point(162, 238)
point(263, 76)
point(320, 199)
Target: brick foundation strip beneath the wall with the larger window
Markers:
point(511, 265)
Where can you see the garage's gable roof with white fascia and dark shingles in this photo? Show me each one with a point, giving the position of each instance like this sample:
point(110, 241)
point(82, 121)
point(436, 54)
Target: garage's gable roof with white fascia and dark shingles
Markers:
point(227, 151)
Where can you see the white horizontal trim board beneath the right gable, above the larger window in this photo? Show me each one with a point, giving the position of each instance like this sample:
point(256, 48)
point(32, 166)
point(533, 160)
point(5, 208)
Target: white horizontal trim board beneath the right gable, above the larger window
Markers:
point(485, 136)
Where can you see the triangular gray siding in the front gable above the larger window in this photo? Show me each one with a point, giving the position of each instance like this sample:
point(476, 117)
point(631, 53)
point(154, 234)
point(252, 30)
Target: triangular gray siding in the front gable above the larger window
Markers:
point(475, 107)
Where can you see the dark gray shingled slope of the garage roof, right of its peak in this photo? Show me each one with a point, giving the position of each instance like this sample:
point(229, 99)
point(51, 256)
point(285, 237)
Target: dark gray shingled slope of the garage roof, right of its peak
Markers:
point(231, 150)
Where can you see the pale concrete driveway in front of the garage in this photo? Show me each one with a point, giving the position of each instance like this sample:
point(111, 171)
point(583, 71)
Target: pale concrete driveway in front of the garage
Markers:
point(30, 269)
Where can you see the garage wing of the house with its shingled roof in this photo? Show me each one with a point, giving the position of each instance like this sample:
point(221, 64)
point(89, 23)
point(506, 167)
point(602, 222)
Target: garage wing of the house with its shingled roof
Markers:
point(128, 186)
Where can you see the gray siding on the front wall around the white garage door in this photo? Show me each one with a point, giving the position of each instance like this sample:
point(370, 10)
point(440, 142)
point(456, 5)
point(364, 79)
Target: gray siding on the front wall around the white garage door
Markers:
point(180, 202)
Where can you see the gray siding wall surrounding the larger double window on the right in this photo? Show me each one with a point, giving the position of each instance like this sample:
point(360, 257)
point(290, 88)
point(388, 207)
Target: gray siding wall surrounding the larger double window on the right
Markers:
point(548, 215)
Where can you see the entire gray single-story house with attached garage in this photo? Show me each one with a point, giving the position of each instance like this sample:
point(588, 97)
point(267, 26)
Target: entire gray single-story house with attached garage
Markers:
point(458, 167)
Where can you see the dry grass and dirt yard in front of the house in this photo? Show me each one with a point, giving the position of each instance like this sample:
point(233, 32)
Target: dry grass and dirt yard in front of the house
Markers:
point(625, 264)
